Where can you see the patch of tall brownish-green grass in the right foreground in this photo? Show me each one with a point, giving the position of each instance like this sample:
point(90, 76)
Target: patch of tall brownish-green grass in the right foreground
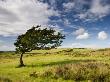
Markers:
point(94, 71)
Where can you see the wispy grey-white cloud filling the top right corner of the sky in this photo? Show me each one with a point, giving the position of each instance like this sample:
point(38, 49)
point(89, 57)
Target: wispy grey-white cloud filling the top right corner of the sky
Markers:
point(97, 10)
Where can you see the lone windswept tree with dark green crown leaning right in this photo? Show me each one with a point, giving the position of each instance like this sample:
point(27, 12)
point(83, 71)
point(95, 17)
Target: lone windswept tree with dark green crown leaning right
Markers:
point(37, 38)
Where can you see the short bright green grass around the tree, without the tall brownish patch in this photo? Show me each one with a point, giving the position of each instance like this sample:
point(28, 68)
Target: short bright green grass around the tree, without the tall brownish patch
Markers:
point(39, 63)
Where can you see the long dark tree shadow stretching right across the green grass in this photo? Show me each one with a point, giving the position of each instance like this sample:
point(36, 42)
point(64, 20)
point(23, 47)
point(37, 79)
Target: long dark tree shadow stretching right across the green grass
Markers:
point(59, 63)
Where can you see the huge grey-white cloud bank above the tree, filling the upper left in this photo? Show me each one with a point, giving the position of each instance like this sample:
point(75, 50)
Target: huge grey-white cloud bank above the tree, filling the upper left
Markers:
point(16, 16)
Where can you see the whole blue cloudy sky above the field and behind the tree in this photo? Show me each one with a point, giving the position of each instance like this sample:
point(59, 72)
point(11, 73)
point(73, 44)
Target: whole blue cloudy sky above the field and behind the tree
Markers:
point(85, 23)
